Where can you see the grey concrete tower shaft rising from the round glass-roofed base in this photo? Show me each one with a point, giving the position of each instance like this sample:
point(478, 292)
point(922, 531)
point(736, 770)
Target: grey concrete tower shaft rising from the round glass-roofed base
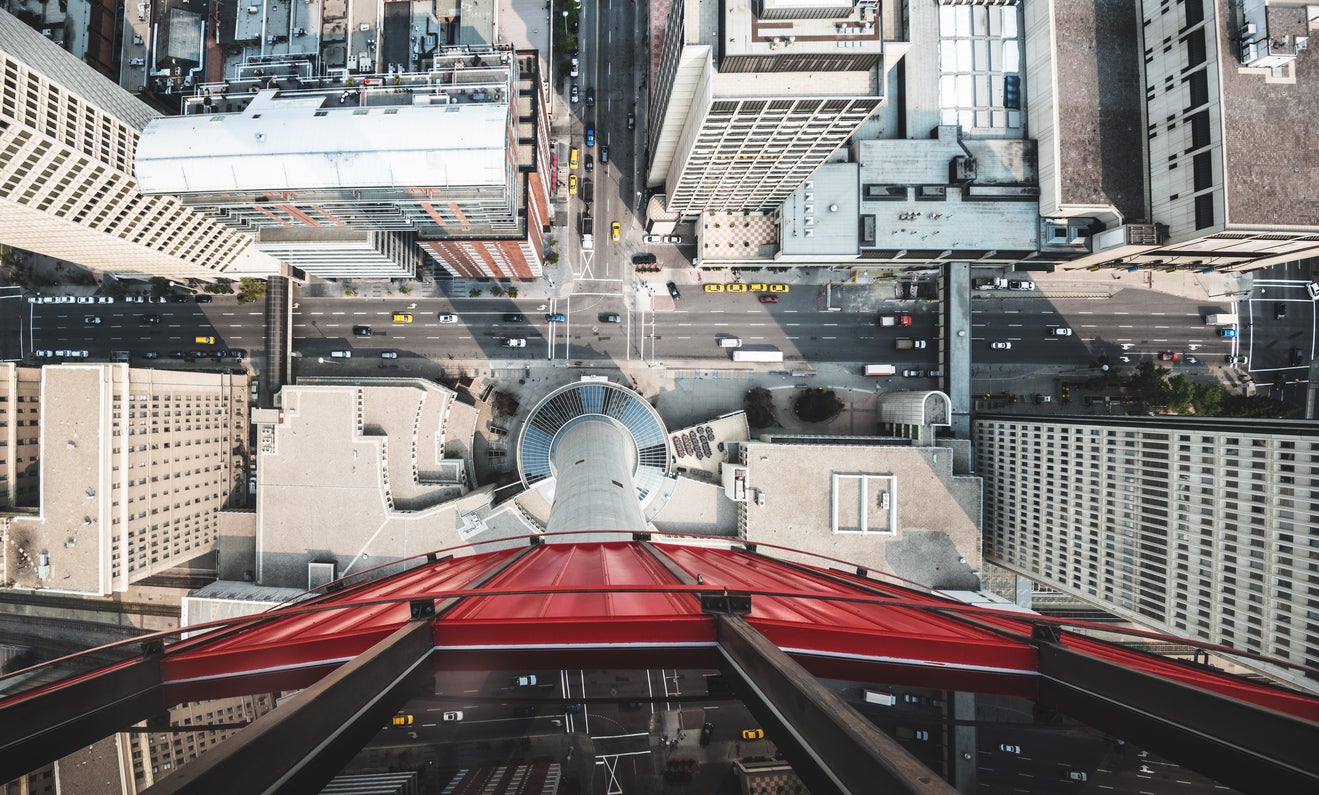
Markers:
point(594, 462)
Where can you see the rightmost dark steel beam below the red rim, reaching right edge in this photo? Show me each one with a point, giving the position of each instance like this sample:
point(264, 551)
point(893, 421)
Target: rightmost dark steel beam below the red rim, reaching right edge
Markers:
point(1238, 744)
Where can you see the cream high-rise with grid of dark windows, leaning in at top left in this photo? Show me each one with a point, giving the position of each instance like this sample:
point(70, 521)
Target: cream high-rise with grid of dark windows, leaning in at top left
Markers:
point(68, 136)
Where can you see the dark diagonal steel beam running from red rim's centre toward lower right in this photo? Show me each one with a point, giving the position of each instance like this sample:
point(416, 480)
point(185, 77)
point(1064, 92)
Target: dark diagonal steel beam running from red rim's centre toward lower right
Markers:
point(842, 751)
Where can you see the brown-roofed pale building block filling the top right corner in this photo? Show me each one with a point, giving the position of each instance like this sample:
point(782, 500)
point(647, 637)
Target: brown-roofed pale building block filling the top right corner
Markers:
point(1172, 134)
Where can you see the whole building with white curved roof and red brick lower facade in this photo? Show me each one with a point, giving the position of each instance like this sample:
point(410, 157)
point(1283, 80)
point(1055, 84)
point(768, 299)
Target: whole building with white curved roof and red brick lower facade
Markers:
point(363, 177)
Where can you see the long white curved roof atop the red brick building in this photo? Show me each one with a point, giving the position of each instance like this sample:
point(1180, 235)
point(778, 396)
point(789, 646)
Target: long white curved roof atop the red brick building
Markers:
point(299, 146)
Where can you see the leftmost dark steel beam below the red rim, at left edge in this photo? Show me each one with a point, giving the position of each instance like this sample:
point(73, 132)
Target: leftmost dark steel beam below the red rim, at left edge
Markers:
point(60, 721)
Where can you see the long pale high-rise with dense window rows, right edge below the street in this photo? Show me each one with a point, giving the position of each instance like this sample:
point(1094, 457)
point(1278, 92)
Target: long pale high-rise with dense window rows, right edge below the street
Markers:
point(1198, 528)
